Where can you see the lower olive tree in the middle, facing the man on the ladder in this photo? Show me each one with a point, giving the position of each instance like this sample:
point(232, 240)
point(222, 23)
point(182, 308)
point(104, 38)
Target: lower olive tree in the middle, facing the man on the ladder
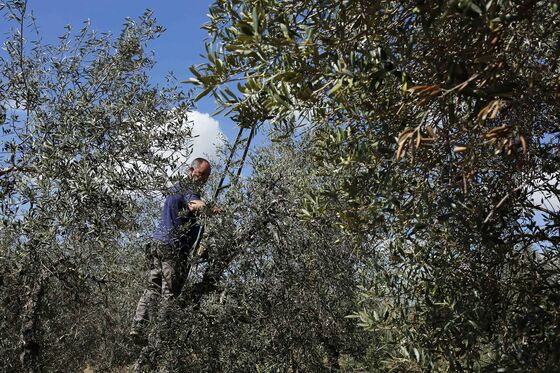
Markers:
point(274, 293)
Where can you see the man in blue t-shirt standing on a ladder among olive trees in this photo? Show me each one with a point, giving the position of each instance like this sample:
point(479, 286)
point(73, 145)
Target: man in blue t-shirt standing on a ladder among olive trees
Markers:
point(172, 242)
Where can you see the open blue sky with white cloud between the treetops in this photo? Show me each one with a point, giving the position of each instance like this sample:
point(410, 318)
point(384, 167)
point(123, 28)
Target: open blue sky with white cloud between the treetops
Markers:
point(178, 48)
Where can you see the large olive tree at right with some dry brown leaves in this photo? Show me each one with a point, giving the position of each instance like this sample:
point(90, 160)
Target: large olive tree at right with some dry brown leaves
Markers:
point(434, 126)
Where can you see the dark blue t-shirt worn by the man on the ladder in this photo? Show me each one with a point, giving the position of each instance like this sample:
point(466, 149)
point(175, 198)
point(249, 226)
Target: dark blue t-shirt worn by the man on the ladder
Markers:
point(176, 218)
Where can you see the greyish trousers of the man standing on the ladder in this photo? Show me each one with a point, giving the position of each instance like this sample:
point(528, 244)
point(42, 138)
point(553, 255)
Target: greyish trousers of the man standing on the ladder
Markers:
point(168, 270)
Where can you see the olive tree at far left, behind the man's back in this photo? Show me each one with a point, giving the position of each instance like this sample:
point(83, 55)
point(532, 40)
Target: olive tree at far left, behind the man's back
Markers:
point(85, 142)
